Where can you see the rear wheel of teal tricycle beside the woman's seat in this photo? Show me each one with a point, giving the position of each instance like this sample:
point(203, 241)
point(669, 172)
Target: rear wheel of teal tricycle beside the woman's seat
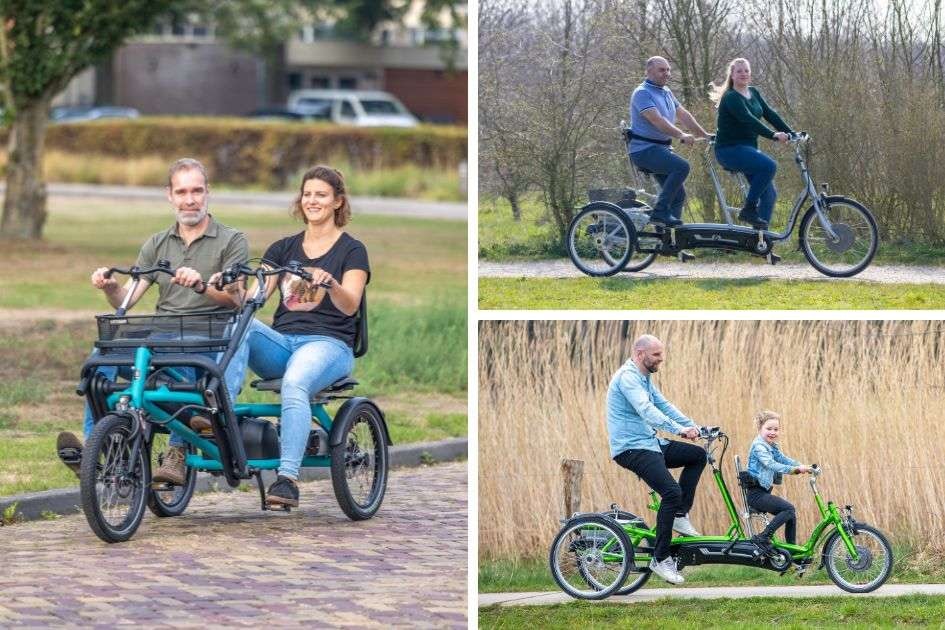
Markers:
point(359, 464)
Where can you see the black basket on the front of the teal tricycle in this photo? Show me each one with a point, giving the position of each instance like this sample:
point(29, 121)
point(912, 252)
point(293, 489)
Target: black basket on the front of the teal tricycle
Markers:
point(202, 331)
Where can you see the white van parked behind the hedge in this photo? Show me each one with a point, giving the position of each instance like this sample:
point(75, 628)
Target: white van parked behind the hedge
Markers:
point(361, 108)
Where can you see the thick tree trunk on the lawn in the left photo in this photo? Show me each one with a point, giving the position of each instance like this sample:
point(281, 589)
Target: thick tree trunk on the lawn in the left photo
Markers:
point(24, 204)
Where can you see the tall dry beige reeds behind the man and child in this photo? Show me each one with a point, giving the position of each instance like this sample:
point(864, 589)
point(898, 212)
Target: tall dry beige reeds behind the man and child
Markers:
point(862, 399)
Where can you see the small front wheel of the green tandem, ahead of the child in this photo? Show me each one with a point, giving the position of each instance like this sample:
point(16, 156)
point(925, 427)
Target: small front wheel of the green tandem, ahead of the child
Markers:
point(869, 571)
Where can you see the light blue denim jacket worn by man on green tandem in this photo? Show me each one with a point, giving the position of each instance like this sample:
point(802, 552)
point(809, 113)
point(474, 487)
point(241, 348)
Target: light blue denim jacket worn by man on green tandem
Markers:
point(636, 409)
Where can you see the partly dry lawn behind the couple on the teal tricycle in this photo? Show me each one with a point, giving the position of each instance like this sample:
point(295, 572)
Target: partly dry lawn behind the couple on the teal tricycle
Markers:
point(415, 369)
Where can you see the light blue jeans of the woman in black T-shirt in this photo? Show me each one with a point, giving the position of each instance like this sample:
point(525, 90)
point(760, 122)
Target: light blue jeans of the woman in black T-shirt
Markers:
point(307, 364)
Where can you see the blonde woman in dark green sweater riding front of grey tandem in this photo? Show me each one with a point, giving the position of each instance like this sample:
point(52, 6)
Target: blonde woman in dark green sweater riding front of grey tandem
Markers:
point(741, 110)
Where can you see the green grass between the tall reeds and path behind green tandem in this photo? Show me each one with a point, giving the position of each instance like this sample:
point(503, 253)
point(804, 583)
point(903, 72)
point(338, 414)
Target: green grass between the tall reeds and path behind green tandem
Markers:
point(533, 575)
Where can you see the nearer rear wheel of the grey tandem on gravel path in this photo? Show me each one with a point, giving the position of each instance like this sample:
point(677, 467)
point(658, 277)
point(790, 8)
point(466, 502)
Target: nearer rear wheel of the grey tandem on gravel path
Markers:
point(601, 240)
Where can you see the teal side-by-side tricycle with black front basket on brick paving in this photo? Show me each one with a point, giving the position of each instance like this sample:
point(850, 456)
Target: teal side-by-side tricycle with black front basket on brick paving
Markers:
point(174, 366)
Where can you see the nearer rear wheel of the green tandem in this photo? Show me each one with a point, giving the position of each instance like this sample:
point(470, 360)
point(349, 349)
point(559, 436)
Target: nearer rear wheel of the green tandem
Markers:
point(590, 558)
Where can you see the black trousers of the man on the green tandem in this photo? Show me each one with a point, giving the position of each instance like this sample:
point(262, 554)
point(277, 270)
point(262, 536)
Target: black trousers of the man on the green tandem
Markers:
point(675, 498)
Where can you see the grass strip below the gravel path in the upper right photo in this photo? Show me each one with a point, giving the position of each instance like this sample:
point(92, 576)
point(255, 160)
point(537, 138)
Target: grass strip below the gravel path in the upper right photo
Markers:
point(714, 294)
